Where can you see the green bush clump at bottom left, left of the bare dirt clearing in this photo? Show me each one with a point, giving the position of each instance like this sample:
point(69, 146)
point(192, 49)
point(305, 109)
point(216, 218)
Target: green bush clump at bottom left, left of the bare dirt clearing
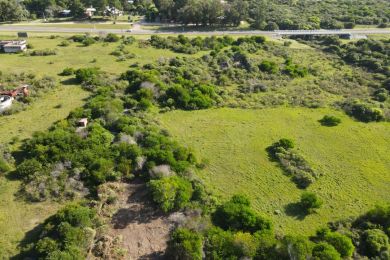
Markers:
point(68, 234)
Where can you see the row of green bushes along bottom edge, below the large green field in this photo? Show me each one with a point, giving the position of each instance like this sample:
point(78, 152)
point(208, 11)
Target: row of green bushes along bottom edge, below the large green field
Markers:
point(239, 233)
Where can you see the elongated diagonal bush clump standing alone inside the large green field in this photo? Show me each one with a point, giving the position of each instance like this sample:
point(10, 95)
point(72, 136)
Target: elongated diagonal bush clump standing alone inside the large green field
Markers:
point(292, 163)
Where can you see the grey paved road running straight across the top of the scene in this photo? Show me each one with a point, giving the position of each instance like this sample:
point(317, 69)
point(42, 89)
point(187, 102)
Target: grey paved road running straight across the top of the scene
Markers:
point(138, 30)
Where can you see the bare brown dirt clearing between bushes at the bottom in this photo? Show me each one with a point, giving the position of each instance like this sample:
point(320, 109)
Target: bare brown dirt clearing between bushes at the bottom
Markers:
point(144, 230)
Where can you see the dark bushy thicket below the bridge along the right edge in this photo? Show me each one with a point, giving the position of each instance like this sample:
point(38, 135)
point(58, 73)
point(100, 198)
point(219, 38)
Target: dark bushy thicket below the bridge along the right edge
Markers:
point(371, 55)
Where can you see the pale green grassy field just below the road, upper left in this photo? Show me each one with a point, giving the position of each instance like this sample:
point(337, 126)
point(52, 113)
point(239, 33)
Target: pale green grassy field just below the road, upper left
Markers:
point(76, 56)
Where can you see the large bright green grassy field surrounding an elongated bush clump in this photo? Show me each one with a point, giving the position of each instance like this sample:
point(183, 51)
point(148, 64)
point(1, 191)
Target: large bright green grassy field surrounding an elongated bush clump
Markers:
point(353, 158)
